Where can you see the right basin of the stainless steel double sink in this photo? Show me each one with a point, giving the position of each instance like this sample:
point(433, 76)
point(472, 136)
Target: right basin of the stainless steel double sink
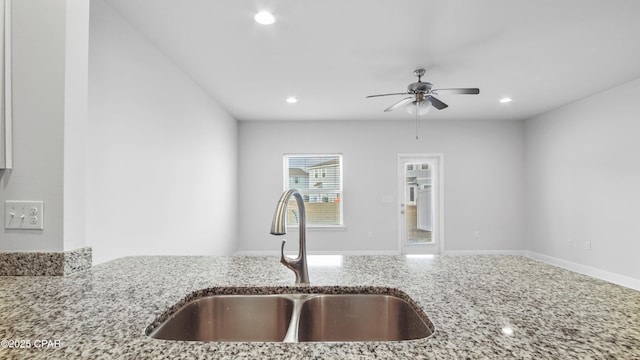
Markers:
point(359, 318)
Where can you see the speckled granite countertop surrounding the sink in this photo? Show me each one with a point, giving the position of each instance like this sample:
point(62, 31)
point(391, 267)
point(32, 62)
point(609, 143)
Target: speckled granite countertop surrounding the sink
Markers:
point(102, 312)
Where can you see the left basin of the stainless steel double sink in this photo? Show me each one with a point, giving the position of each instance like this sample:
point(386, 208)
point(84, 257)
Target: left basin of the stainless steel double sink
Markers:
point(229, 318)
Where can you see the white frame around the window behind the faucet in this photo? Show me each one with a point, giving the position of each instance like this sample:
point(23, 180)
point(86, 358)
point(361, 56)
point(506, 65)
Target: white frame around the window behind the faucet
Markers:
point(340, 191)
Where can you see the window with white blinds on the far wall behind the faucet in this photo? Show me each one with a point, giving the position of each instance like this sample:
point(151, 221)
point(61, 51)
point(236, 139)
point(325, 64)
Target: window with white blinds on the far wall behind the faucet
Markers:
point(318, 178)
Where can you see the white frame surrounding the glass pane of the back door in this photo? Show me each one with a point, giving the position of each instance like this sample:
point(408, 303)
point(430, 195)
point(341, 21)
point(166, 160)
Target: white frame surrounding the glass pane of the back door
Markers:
point(437, 180)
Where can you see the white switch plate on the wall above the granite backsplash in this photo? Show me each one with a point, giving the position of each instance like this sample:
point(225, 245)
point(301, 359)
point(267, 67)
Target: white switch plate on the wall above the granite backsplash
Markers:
point(23, 215)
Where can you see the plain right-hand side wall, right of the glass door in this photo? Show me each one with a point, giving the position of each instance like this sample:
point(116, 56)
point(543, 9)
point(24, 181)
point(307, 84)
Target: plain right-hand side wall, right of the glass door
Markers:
point(583, 176)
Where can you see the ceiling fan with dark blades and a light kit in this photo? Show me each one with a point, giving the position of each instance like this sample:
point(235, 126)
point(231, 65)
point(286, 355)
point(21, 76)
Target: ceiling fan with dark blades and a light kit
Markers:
point(422, 95)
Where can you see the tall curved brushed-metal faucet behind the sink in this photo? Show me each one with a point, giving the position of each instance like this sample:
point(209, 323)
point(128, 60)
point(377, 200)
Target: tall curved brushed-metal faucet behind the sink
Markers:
point(278, 227)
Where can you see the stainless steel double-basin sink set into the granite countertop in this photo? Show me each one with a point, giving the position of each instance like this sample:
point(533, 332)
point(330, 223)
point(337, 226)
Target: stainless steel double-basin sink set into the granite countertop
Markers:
point(341, 314)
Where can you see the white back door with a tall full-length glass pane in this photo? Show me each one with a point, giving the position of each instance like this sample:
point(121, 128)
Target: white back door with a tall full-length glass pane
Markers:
point(420, 198)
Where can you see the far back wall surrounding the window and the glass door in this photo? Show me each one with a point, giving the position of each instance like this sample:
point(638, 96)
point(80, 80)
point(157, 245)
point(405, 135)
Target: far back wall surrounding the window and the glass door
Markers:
point(483, 170)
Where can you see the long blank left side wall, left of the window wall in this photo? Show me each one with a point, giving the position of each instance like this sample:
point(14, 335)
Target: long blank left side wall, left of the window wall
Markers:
point(162, 155)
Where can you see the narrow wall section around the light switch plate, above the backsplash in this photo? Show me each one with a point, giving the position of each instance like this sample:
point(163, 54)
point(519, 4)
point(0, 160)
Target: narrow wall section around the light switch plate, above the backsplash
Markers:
point(39, 31)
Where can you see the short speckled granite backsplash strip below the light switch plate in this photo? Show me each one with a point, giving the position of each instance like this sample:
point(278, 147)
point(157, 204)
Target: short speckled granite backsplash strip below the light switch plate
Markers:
point(44, 263)
